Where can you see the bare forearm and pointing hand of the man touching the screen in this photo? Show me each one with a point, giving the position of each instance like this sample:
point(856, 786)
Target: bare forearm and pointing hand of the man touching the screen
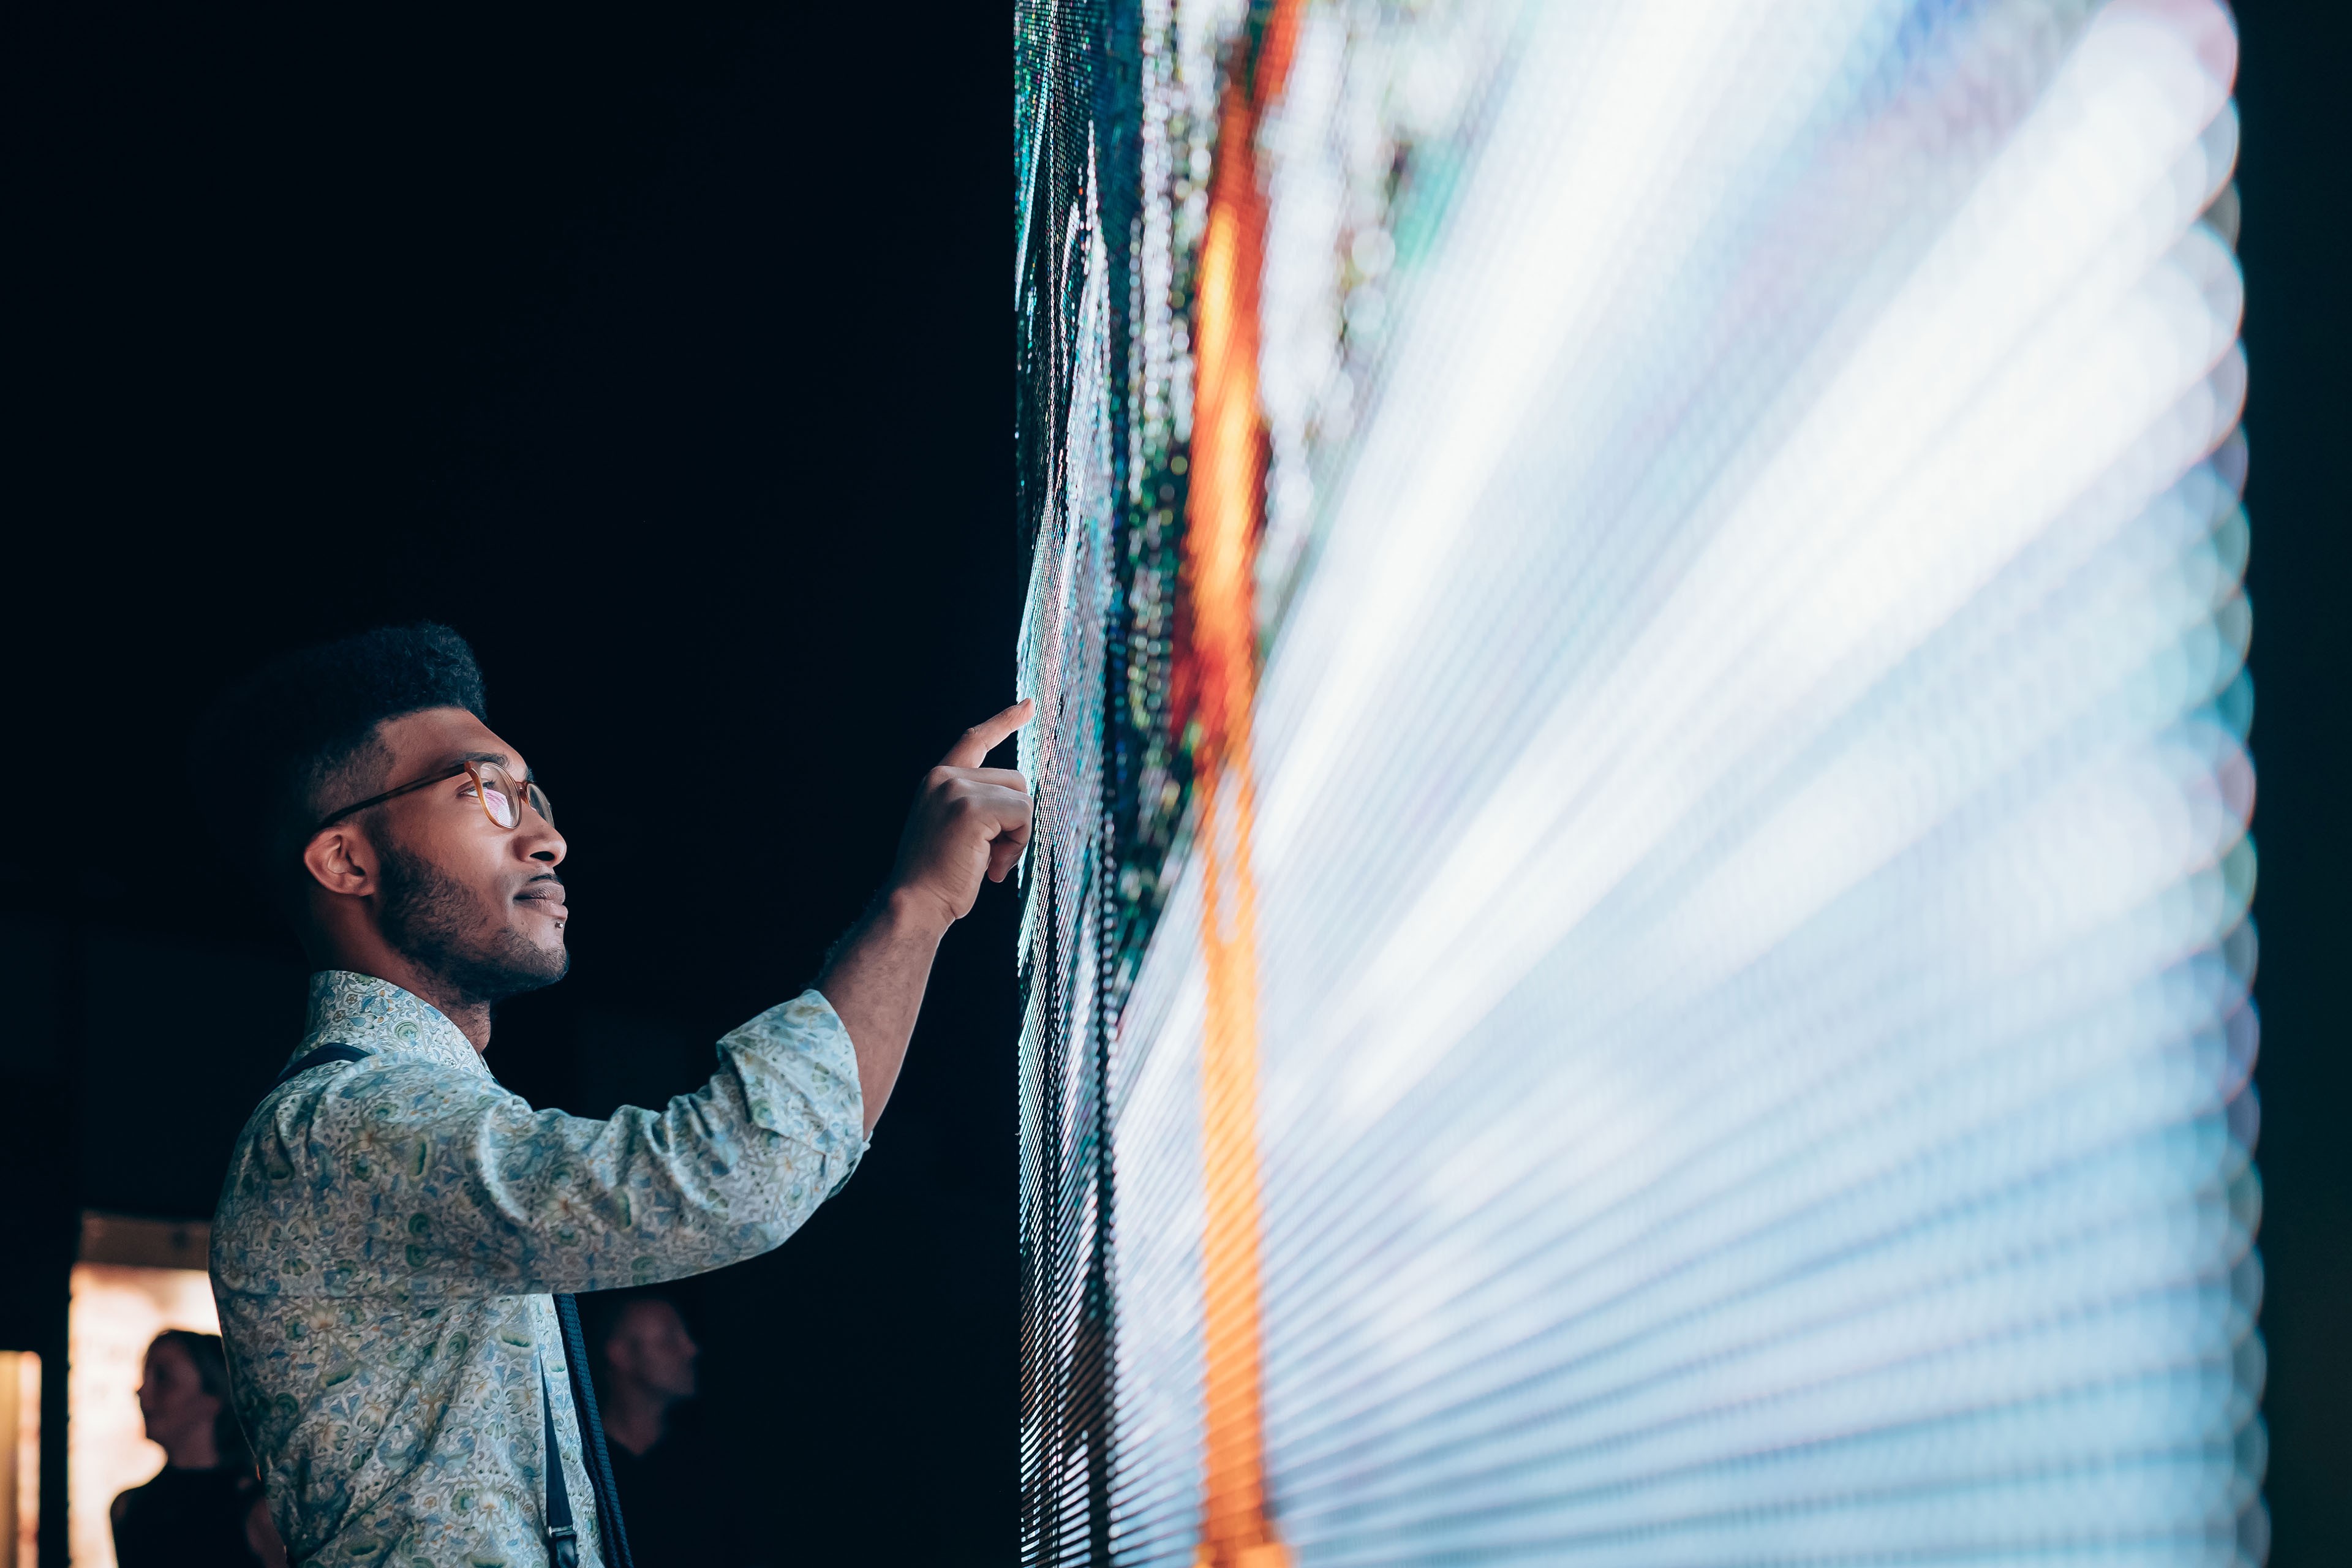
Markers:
point(970, 822)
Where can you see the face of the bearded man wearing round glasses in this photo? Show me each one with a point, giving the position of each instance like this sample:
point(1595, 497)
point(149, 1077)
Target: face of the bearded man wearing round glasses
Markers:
point(476, 904)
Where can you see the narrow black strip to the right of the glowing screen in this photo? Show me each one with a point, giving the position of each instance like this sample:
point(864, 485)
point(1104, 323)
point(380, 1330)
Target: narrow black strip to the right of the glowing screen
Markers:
point(2292, 177)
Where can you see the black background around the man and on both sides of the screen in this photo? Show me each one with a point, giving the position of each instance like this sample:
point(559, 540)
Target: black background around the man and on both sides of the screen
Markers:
point(671, 363)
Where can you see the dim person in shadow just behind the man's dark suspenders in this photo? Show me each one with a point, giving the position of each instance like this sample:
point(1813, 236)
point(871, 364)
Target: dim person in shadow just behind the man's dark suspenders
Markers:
point(681, 1499)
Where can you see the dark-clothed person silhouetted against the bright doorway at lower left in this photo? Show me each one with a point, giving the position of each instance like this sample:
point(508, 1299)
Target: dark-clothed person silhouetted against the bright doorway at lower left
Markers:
point(206, 1510)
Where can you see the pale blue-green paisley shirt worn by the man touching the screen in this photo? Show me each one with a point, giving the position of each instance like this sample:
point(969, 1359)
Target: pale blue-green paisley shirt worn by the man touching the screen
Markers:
point(392, 1231)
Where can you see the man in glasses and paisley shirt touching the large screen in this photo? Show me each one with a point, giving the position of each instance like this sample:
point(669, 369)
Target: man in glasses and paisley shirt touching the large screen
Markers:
point(394, 1226)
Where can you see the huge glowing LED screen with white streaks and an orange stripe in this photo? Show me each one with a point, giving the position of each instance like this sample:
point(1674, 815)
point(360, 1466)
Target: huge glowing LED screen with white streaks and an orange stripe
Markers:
point(1638, 949)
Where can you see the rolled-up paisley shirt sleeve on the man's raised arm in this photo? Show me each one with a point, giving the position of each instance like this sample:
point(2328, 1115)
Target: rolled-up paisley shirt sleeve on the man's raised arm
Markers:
point(432, 1181)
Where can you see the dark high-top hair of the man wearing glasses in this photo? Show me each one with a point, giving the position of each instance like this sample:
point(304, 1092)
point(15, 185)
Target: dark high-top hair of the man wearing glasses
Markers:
point(272, 746)
